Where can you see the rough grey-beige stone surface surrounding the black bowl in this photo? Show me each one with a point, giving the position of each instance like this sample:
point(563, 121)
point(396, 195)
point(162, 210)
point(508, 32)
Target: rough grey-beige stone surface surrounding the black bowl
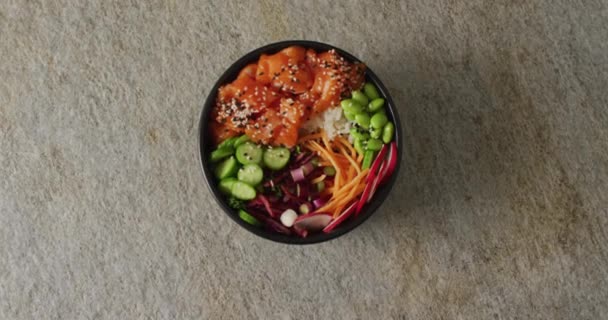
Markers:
point(500, 212)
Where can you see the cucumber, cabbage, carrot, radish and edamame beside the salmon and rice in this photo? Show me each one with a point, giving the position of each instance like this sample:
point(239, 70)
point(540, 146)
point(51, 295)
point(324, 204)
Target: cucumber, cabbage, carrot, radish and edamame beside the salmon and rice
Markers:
point(316, 185)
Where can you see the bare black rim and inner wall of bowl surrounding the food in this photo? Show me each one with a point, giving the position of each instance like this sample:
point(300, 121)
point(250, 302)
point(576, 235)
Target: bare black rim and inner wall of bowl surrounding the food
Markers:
point(206, 147)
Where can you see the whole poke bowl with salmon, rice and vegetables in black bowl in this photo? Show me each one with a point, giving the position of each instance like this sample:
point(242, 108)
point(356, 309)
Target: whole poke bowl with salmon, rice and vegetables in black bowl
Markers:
point(299, 142)
